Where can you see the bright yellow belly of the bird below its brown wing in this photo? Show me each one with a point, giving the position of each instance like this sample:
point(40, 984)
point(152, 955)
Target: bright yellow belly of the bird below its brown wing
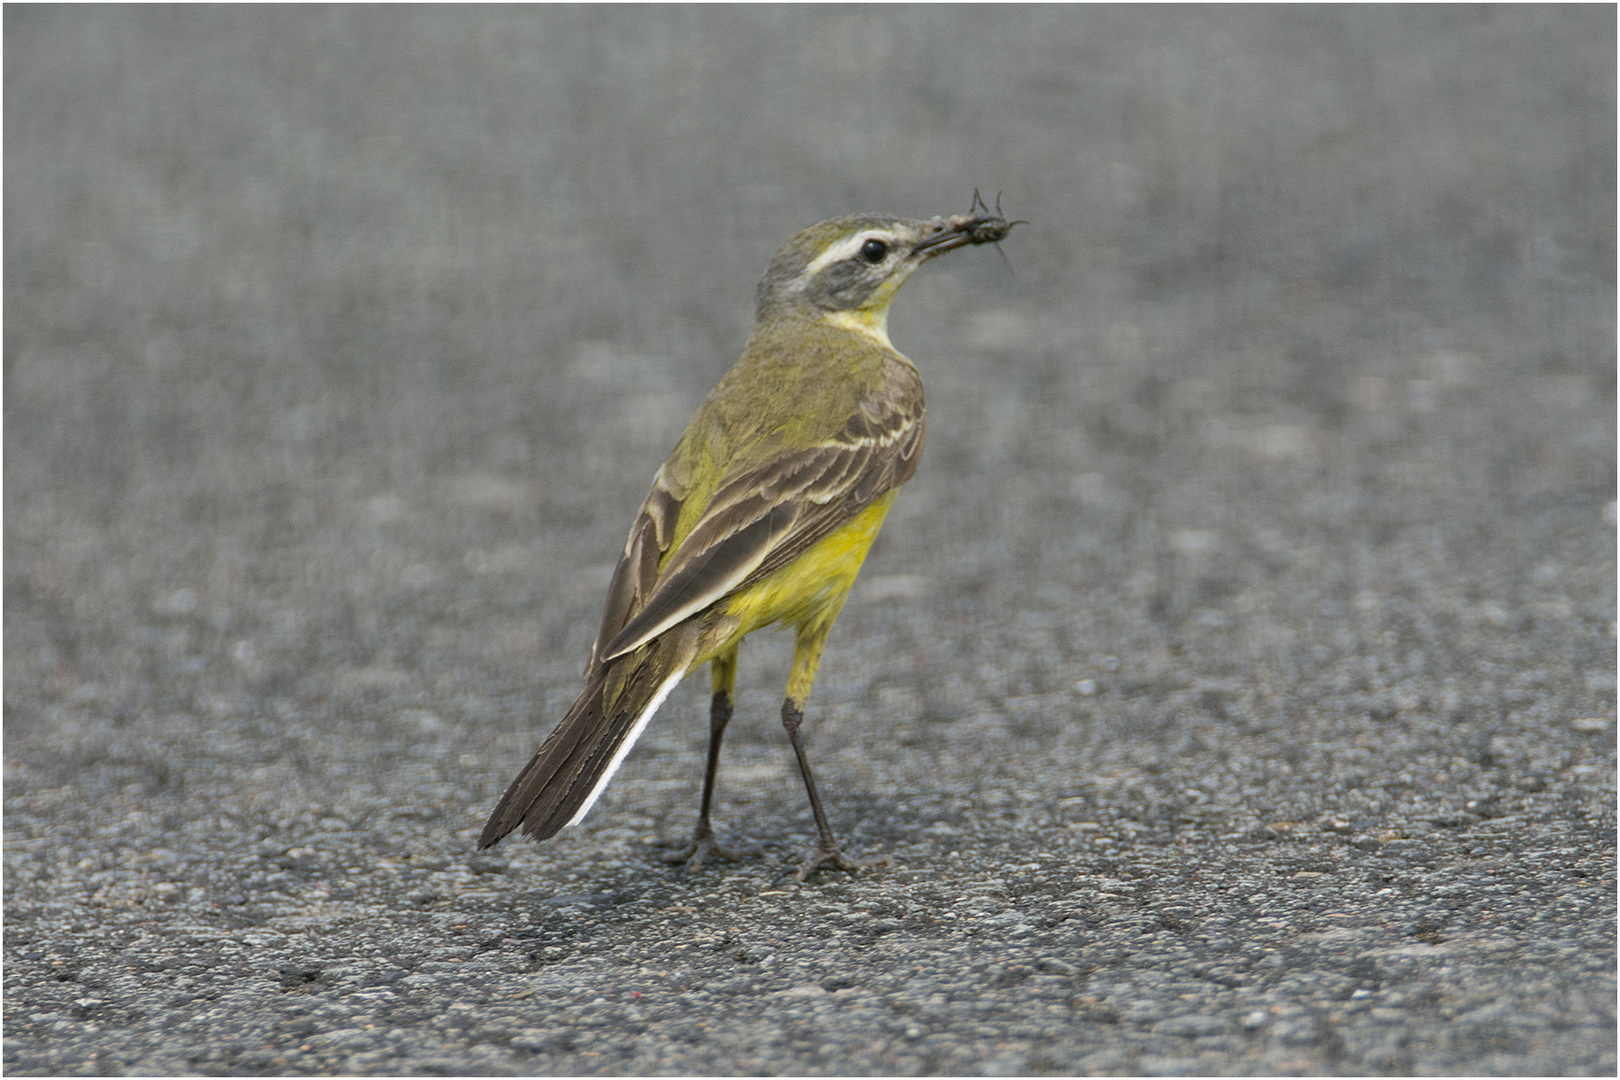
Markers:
point(812, 589)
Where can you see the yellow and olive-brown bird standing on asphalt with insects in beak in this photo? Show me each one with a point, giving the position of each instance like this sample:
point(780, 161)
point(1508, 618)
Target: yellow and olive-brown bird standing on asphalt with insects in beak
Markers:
point(762, 516)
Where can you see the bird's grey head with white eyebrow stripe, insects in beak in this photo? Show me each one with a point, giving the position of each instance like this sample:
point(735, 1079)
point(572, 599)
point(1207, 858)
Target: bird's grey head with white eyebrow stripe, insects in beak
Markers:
point(850, 270)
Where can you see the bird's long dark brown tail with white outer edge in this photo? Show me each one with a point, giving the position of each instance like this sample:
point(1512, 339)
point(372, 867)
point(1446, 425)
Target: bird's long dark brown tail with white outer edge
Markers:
point(574, 765)
